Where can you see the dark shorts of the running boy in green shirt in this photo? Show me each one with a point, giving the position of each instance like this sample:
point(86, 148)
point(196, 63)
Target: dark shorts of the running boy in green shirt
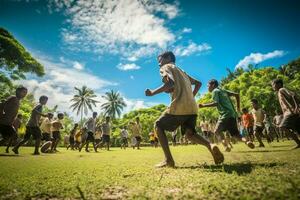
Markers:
point(228, 124)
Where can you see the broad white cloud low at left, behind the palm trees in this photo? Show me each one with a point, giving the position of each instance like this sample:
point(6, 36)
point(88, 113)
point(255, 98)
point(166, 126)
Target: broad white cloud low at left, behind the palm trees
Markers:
point(60, 80)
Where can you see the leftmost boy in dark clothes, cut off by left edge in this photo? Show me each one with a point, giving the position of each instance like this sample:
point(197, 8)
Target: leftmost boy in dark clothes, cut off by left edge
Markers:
point(8, 112)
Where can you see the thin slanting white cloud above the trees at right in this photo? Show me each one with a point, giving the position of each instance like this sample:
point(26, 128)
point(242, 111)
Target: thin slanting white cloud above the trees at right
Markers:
point(255, 58)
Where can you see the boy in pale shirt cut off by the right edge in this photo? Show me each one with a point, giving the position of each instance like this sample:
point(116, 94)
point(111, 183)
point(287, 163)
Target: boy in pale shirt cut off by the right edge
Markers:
point(290, 109)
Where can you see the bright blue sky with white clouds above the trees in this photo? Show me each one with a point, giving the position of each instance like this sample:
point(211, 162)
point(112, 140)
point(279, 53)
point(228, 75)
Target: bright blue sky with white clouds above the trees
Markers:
point(114, 44)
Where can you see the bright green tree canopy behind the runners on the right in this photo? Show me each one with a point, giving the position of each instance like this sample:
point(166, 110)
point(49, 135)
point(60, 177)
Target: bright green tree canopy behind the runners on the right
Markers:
point(256, 83)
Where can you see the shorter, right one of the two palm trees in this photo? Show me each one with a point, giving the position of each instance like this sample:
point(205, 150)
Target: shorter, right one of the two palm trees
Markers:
point(114, 104)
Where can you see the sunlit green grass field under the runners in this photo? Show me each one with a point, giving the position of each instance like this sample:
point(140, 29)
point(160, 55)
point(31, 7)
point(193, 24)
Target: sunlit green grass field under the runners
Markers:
point(270, 173)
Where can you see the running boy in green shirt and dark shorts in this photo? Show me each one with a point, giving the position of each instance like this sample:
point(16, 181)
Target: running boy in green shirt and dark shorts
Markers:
point(227, 114)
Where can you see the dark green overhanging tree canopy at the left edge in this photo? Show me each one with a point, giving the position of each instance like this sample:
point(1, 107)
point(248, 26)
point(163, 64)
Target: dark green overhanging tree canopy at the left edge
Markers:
point(15, 62)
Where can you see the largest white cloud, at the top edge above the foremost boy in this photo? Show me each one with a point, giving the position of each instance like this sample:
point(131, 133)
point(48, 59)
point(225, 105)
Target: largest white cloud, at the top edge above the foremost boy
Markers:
point(116, 26)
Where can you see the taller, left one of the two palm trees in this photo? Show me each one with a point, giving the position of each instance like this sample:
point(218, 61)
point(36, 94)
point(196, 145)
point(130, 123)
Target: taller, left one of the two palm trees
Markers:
point(83, 101)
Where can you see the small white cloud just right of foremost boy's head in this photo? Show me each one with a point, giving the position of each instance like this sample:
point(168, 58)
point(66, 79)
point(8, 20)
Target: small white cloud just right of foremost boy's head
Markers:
point(191, 49)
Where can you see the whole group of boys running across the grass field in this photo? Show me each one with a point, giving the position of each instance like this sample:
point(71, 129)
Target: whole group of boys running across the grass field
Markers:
point(182, 112)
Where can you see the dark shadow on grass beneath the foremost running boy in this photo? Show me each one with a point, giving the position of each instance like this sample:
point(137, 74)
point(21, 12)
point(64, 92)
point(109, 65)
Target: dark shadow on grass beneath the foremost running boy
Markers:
point(238, 168)
